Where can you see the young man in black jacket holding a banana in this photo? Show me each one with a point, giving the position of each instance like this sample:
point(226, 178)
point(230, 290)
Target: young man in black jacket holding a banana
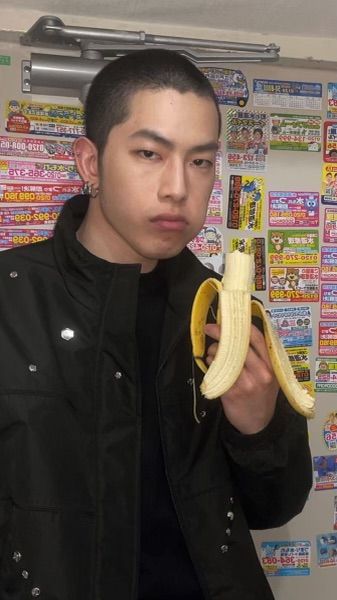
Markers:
point(109, 486)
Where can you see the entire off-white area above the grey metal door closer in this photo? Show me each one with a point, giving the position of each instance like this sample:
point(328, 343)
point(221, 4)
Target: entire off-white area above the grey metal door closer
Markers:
point(304, 29)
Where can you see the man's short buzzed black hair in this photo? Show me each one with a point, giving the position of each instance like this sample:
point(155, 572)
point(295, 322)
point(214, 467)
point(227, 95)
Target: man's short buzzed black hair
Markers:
point(113, 88)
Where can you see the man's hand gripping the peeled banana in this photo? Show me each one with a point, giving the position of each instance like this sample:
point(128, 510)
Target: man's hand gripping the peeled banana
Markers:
point(250, 403)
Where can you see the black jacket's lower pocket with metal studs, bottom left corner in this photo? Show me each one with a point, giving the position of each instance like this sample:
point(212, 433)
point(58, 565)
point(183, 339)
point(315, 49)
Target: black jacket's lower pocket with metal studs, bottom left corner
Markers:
point(47, 554)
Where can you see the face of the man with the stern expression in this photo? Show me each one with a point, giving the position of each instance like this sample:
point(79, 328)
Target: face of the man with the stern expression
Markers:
point(156, 176)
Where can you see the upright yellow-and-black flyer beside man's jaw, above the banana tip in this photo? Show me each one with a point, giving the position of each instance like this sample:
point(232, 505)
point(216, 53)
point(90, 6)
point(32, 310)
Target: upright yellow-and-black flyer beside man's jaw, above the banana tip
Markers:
point(245, 202)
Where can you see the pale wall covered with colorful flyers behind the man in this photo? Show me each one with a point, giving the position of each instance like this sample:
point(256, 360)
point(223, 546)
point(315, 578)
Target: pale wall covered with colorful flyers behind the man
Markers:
point(275, 193)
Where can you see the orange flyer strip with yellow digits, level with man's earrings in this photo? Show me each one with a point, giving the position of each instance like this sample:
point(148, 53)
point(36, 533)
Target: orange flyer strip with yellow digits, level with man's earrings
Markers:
point(17, 192)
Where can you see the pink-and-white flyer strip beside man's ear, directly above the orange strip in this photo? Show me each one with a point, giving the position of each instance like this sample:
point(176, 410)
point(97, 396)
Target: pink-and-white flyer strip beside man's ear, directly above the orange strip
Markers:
point(26, 171)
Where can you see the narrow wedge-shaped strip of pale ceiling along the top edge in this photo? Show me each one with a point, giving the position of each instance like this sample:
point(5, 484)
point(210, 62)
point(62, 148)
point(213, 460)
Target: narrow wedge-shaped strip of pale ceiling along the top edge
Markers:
point(309, 18)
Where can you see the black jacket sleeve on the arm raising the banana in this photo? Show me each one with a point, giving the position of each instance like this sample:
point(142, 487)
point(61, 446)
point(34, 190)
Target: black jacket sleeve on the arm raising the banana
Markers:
point(272, 469)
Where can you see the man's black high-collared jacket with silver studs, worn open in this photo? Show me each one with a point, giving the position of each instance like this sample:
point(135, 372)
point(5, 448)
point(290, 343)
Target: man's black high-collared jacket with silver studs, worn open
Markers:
point(70, 427)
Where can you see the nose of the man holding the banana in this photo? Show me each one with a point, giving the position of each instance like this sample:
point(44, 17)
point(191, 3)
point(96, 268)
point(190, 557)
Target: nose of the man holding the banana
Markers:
point(173, 181)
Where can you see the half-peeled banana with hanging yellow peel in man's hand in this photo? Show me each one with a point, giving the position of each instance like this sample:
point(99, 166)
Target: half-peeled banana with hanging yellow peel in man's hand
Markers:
point(234, 313)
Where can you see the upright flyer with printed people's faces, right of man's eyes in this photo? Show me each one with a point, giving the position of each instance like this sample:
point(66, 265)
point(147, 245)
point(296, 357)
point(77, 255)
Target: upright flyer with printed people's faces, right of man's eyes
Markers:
point(247, 140)
